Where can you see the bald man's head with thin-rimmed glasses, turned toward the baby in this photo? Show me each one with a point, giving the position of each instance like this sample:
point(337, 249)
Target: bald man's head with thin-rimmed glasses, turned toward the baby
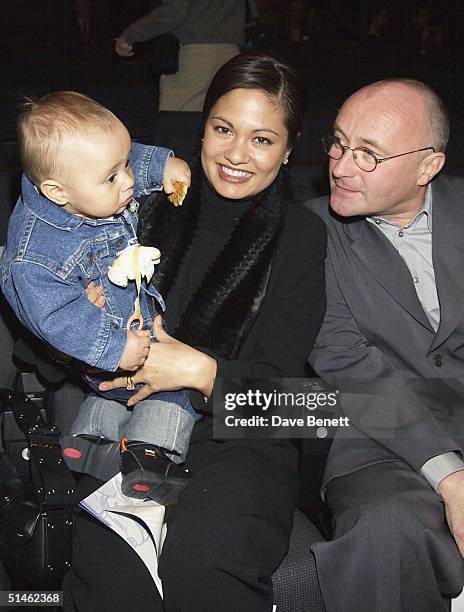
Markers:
point(398, 122)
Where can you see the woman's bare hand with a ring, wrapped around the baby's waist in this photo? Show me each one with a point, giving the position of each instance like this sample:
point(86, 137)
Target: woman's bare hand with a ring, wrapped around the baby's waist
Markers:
point(170, 365)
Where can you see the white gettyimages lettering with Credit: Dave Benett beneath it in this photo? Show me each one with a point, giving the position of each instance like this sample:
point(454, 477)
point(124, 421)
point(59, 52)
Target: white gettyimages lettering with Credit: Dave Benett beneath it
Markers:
point(277, 408)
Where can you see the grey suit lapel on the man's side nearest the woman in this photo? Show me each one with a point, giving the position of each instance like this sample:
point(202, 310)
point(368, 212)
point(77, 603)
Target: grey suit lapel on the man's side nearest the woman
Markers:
point(382, 261)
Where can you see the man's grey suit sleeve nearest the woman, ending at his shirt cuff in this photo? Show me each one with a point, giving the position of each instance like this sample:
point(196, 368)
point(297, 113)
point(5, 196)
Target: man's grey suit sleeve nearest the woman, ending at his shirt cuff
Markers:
point(375, 398)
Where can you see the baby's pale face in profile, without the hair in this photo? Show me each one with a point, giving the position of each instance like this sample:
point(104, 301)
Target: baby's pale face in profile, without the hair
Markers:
point(99, 181)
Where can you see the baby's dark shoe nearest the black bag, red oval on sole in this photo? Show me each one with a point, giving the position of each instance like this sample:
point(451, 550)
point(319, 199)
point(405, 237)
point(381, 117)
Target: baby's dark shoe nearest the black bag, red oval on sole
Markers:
point(92, 455)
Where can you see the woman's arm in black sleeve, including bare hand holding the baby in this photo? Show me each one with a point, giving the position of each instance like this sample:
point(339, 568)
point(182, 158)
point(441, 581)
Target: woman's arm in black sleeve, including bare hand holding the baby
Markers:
point(281, 338)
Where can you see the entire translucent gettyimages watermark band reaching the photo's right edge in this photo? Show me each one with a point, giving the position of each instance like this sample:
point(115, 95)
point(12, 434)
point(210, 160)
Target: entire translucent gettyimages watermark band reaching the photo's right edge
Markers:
point(381, 408)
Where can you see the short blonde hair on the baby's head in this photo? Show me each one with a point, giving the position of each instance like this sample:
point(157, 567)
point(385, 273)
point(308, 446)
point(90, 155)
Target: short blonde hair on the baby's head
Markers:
point(45, 123)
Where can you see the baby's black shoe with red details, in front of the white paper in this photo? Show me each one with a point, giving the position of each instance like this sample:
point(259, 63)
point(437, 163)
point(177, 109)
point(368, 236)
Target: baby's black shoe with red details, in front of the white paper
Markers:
point(147, 471)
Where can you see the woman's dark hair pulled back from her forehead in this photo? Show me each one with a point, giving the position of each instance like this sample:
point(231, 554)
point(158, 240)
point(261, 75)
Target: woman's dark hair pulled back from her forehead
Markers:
point(264, 73)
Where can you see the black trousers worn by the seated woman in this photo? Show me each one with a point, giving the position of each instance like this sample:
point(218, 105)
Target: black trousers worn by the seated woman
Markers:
point(228, 535)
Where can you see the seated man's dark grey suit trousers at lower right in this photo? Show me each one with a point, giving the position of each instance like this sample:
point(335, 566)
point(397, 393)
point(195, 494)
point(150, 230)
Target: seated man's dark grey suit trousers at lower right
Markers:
point(391, 549)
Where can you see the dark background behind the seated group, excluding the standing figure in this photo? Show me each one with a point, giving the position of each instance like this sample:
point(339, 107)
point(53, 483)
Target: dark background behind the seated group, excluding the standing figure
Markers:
point(328, 42)
